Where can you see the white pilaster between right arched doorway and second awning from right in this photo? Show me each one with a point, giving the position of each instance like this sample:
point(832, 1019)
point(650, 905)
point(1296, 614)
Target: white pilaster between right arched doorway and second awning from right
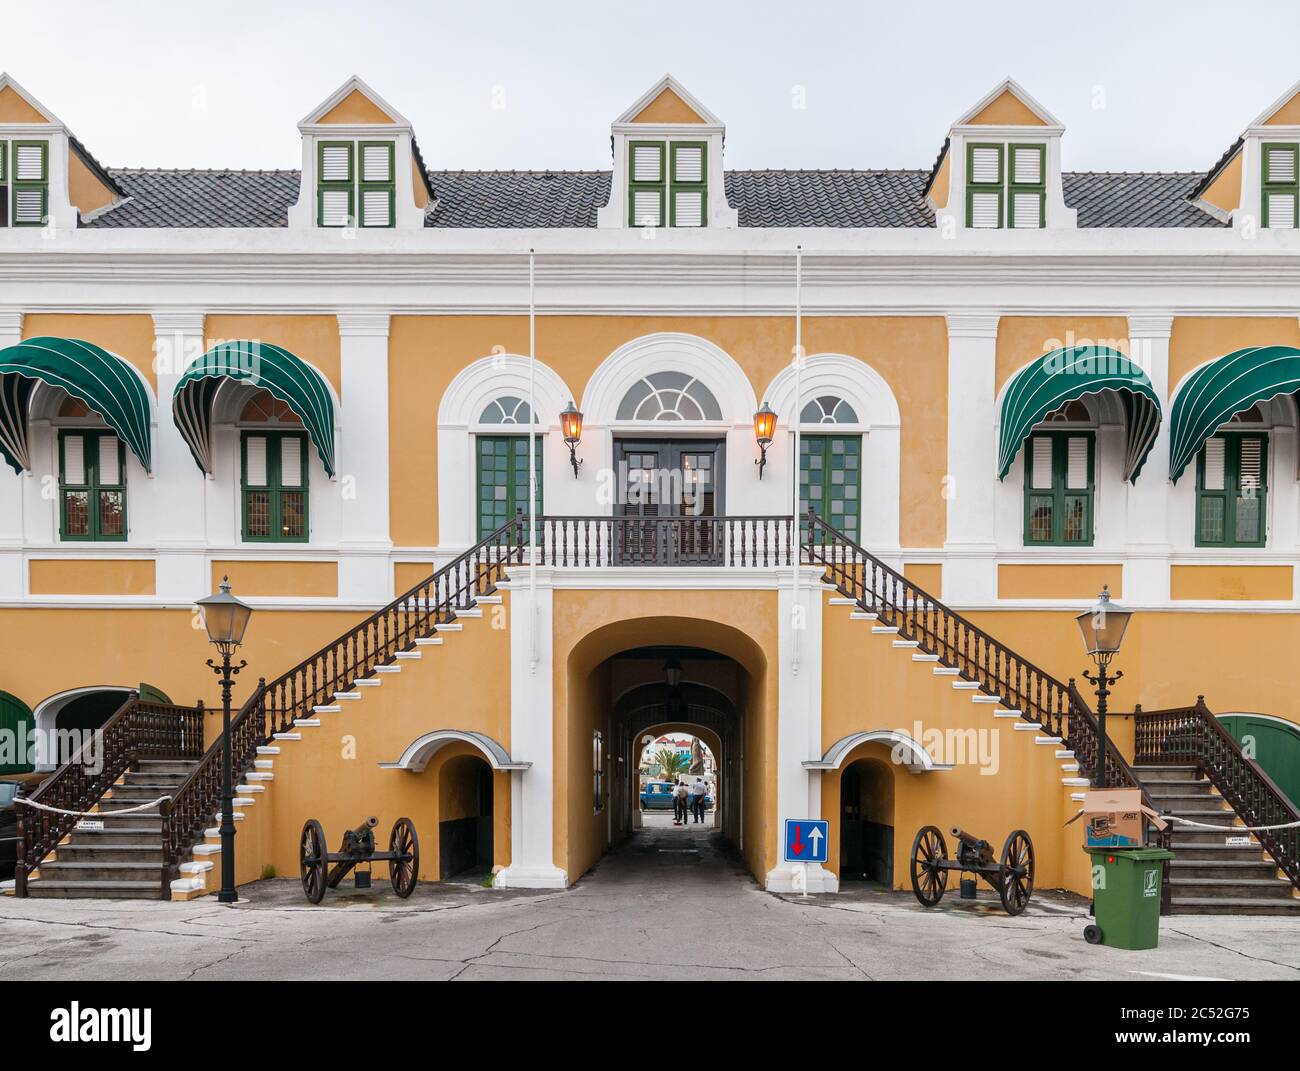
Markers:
point(970, 574)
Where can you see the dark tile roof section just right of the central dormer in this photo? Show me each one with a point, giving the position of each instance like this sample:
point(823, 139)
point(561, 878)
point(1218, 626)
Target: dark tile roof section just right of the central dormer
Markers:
point(830, 200)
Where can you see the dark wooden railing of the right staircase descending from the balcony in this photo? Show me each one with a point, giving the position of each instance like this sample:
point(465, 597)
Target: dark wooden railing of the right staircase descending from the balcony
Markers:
point(963, 645)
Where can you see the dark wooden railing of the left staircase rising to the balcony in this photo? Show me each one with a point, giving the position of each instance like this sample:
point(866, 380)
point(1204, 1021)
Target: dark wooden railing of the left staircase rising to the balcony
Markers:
point(275, 706)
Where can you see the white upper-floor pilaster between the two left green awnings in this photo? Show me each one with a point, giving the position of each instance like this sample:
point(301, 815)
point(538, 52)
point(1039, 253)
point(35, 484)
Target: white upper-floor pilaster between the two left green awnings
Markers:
point(179, 484)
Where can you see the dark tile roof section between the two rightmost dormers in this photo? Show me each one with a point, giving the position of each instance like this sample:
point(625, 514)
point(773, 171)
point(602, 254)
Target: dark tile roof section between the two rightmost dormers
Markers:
point(1145, 200)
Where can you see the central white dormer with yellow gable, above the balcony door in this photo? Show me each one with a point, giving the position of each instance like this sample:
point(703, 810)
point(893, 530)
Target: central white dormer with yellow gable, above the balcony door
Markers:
point(668, 164)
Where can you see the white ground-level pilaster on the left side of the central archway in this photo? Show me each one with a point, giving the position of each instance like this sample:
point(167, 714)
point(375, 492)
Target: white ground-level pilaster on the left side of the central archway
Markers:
point(532, 739)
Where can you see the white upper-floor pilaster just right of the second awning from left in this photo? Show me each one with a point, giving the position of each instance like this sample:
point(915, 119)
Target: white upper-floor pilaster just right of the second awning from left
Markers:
point(363, 458)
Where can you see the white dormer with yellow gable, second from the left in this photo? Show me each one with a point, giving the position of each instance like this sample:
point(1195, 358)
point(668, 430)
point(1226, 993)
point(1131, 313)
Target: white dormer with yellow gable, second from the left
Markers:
point(361, 167)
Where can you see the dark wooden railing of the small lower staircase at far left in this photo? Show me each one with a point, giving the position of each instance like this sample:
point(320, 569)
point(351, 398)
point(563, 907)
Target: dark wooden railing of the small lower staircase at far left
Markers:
point(137, 731)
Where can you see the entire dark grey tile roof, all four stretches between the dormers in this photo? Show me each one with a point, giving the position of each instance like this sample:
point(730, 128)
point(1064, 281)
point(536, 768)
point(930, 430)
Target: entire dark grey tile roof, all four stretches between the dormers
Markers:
point(570, 200)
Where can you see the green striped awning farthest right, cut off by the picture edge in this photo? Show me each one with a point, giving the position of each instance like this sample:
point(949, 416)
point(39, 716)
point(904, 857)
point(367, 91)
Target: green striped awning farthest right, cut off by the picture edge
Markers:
point(1217, 392)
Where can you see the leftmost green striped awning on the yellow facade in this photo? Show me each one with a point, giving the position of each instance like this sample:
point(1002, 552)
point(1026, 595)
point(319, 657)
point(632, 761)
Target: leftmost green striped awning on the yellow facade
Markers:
point(106, 383)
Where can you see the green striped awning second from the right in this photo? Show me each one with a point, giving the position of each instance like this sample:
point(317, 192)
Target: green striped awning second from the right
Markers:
point(1067, 376)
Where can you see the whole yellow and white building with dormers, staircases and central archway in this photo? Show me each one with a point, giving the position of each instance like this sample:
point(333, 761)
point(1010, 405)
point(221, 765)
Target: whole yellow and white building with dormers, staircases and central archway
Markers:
point(998, 388)
